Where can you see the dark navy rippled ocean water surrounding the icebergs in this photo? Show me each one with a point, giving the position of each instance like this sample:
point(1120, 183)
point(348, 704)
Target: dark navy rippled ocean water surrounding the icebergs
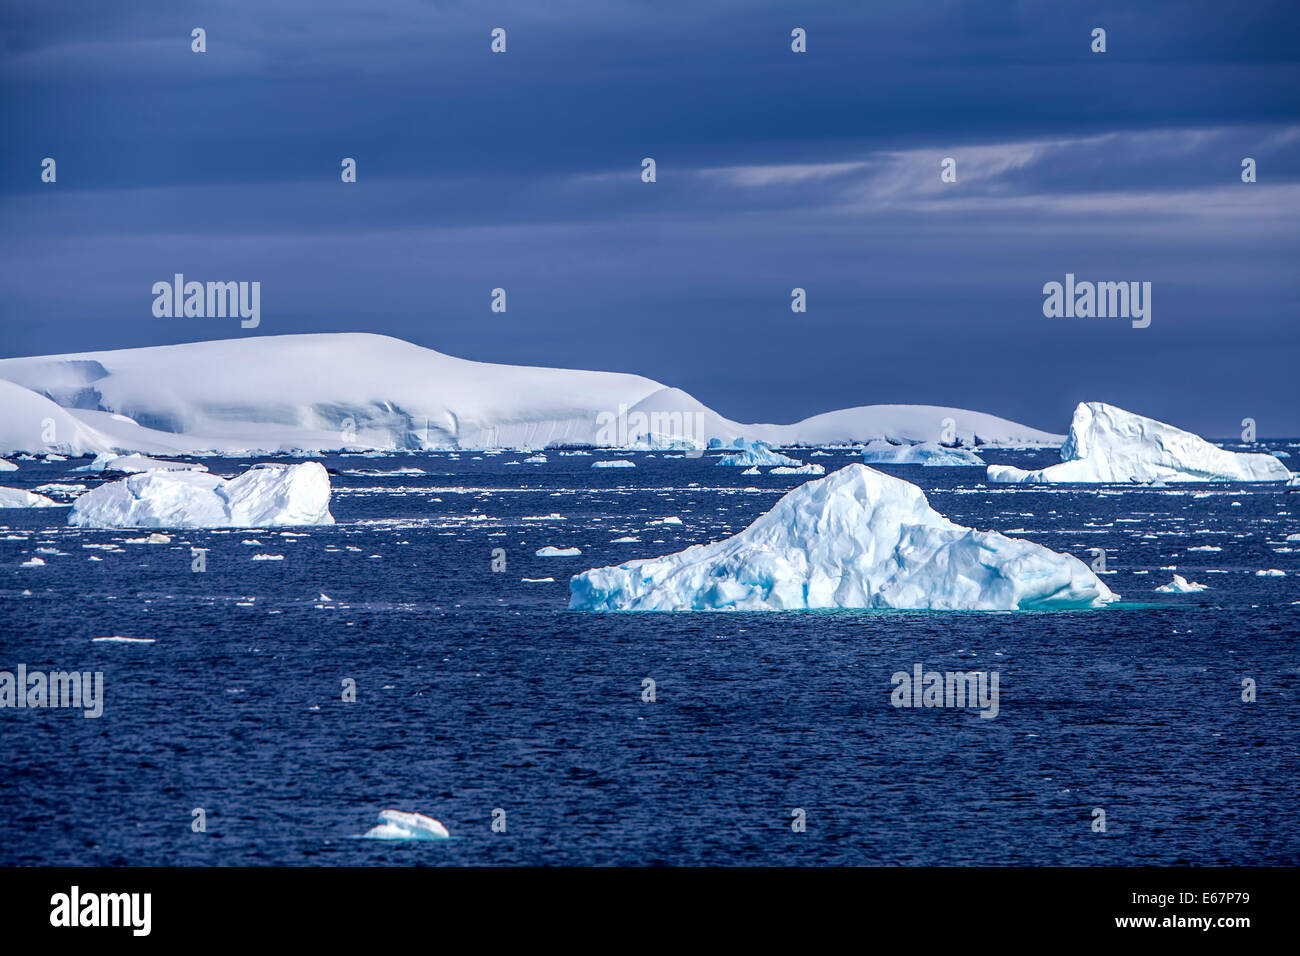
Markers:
point(478, 690)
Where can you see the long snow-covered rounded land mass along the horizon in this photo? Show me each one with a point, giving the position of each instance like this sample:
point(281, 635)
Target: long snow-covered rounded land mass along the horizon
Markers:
point(335, 391)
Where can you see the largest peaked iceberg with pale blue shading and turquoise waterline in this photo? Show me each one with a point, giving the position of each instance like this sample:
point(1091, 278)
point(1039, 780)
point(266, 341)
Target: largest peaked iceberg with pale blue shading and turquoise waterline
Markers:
point(855, 539)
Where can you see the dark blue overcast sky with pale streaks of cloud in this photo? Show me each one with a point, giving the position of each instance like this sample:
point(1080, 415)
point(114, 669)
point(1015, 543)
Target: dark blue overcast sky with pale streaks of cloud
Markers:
point(775, 170)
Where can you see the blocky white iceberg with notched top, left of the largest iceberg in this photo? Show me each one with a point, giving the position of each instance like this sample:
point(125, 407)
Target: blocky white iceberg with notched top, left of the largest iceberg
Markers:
point(265, 496)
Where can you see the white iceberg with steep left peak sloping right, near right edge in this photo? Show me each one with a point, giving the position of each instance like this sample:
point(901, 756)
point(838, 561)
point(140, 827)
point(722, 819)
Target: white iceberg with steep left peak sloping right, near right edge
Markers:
point(1112, 445)
